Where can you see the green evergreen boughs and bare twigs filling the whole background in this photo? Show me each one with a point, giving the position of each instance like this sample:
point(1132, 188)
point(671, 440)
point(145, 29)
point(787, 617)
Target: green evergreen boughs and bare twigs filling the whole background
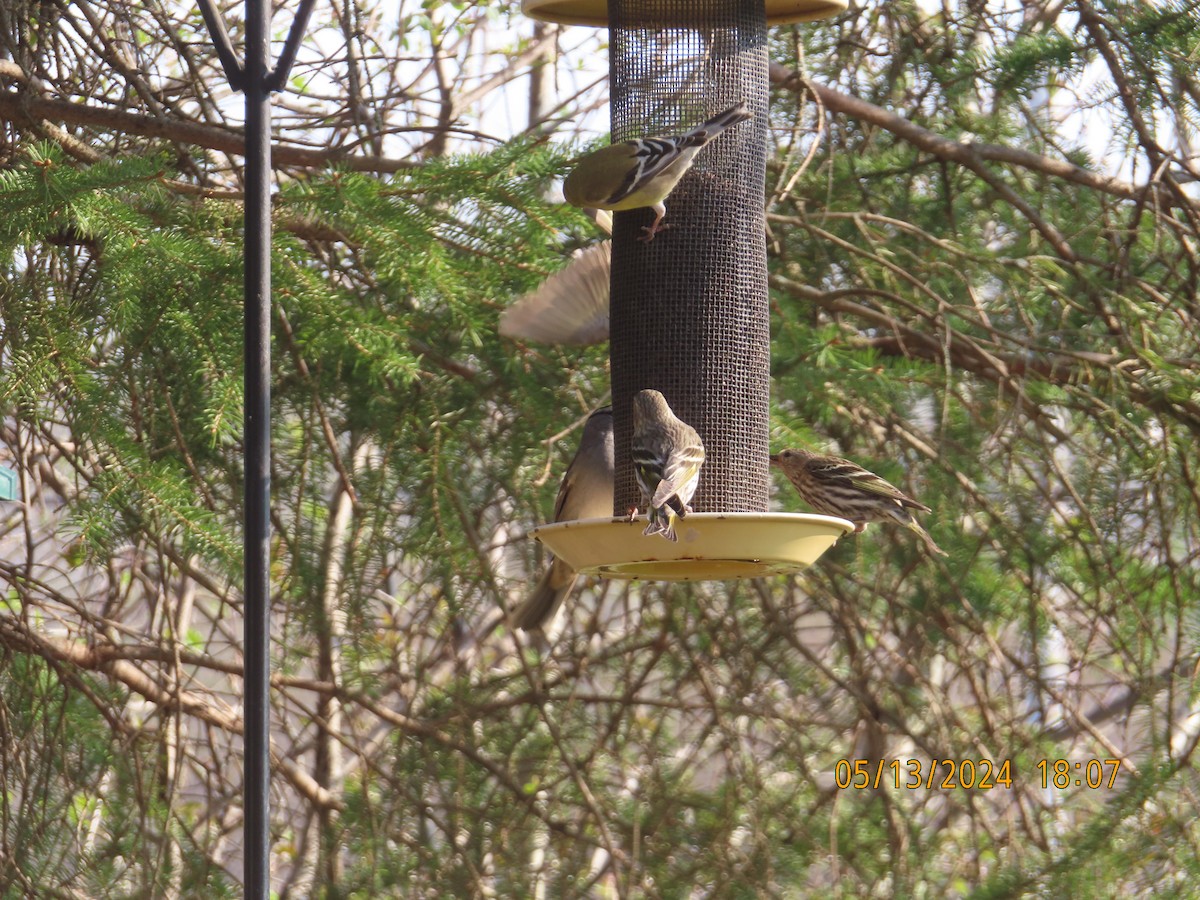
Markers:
point(983, 231)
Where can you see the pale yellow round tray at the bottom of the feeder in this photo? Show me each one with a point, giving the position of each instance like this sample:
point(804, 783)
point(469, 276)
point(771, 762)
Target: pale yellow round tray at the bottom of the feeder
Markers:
point(712, 547)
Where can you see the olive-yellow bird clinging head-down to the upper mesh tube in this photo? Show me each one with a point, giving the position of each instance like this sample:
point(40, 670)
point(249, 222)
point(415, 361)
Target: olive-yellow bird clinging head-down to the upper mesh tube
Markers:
point(644, 173)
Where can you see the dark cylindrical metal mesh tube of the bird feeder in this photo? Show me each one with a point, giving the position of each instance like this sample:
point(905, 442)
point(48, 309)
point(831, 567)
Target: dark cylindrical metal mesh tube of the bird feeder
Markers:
point(689, 314)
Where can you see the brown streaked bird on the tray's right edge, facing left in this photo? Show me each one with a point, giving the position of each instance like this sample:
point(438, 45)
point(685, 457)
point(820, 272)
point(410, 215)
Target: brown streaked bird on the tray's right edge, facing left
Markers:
point(841, 488)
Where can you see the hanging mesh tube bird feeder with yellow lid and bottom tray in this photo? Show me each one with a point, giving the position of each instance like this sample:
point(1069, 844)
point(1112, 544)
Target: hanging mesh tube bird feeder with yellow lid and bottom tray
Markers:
point(689, 310)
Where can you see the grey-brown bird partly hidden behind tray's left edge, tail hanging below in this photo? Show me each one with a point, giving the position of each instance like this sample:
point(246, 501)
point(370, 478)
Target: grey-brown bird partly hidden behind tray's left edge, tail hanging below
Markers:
point(586, 493)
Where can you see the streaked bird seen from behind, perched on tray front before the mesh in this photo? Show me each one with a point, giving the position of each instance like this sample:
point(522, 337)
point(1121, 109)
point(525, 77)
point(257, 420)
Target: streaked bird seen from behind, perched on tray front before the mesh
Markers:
point(668, 455)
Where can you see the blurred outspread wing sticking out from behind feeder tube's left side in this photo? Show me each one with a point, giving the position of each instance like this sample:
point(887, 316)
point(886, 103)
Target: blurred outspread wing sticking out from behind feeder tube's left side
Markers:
point(571, 308)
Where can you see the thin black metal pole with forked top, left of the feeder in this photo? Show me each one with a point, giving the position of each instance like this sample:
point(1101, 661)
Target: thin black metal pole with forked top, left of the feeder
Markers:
point(257, 81)
